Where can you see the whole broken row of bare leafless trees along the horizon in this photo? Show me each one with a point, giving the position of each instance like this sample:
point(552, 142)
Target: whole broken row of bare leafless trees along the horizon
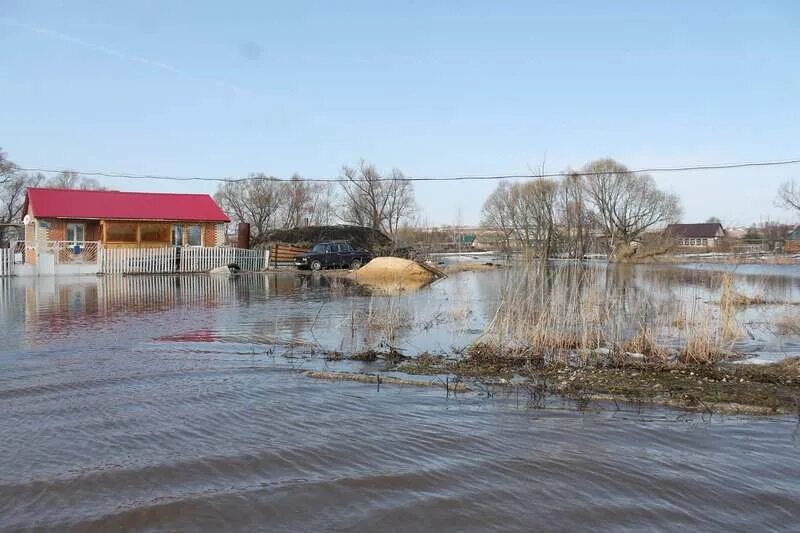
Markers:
point(602, 205)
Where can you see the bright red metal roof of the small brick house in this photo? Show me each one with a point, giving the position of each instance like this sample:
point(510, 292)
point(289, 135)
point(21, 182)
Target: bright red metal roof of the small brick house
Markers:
point(117, 205)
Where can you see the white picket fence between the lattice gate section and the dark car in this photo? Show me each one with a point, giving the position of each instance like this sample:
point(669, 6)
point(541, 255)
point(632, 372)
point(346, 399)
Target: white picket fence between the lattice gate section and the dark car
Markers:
point(170, 259)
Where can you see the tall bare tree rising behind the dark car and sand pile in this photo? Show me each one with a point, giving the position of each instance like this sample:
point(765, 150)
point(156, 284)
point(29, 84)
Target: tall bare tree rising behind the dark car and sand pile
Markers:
point(373, 200)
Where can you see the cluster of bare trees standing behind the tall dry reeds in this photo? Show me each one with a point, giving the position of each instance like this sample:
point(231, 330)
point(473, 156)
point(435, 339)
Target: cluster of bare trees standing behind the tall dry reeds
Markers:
point(604, 199)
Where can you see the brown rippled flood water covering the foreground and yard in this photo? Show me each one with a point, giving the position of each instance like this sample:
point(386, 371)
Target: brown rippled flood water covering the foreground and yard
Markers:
point(179, 403)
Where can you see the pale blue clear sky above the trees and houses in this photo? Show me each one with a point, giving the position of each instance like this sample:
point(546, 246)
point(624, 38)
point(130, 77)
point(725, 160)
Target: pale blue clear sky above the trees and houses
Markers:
point(434, 88)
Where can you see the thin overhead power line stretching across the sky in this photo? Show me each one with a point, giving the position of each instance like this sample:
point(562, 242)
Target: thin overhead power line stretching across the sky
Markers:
point(687, 168)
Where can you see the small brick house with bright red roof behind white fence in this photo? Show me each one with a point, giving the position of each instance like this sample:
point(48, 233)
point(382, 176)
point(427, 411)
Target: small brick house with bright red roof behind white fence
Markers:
point(123, 219)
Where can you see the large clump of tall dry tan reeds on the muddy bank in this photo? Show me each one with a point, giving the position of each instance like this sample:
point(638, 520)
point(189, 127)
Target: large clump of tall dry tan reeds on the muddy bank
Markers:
point(571, 315)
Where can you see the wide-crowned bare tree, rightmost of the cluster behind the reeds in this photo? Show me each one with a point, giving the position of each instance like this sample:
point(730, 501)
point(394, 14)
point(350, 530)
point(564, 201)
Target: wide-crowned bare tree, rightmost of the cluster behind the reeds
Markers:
point(627, 204)
